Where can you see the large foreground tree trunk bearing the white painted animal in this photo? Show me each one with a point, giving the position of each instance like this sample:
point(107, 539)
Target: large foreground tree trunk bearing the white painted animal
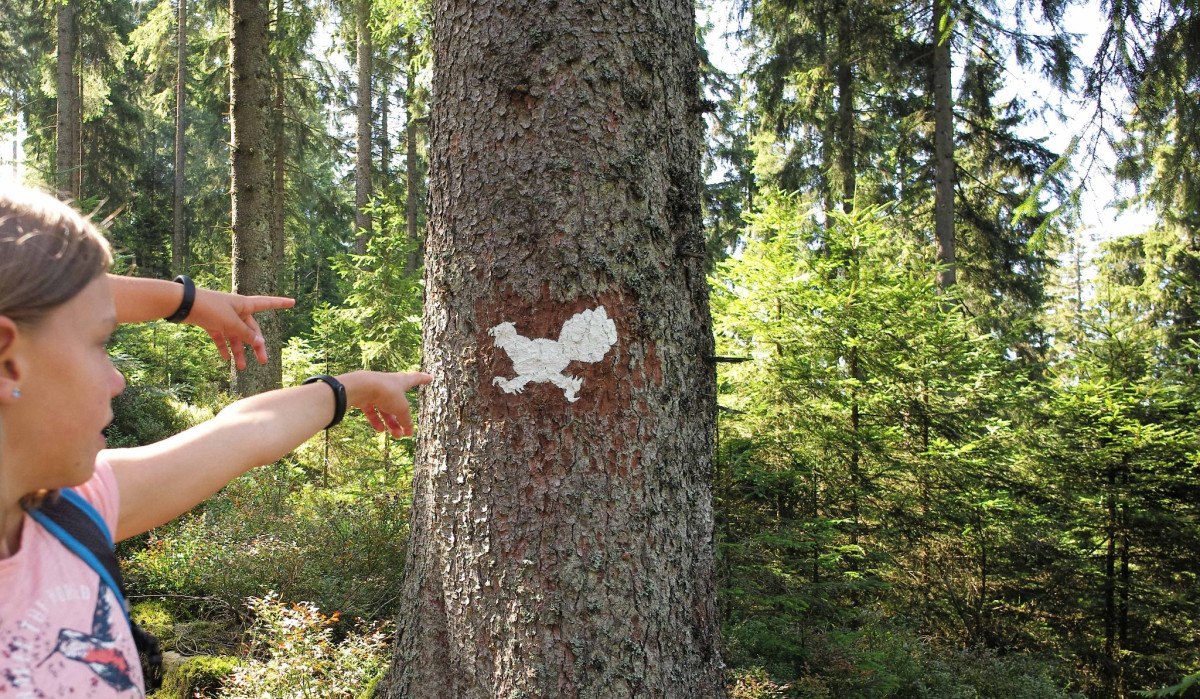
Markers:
point(563, 548)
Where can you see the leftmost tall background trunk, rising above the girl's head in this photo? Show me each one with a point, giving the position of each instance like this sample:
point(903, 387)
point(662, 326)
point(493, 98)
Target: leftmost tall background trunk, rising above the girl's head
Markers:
point(67, 162)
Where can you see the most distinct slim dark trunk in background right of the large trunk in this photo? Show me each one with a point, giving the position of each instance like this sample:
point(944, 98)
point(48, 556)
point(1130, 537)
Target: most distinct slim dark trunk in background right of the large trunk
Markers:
point(944, 146)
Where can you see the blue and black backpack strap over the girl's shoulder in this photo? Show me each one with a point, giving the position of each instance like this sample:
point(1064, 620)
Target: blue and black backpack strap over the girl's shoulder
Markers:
point(75, 522)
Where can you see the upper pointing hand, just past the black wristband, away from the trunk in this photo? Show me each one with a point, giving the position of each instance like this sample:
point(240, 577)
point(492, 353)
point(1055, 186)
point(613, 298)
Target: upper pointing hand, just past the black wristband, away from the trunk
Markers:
point(230, 320)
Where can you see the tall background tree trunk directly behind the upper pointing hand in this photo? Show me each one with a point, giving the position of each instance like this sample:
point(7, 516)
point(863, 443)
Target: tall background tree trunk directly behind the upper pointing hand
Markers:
point(250, 97)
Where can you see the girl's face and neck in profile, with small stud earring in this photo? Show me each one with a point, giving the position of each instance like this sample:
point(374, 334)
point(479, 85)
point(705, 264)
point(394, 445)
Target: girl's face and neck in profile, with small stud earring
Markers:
point(68, 384)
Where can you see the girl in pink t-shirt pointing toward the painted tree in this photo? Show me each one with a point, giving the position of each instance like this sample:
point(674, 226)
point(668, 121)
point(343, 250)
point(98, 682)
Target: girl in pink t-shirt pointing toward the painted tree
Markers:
point(62, 632)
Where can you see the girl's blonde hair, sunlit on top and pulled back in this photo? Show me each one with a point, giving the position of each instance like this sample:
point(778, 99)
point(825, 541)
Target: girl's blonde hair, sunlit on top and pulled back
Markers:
point(49, 254)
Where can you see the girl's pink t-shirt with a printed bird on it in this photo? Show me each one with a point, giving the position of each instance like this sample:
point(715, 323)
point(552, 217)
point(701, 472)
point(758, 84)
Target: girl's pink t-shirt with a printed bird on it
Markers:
point(62, 632)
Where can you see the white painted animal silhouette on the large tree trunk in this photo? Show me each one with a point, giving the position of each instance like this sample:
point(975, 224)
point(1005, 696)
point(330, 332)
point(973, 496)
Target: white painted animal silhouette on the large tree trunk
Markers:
point(586, 337)
